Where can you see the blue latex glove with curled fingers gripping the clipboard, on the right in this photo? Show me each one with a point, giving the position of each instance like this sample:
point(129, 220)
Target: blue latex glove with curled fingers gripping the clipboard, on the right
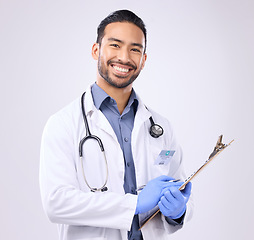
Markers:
point(173, 202)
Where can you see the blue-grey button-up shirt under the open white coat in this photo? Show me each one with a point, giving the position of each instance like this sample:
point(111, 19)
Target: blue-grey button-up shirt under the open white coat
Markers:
point(122, 125)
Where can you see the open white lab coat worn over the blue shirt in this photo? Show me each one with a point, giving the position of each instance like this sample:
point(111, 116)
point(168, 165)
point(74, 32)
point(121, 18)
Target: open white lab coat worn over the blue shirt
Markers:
point(82, 214)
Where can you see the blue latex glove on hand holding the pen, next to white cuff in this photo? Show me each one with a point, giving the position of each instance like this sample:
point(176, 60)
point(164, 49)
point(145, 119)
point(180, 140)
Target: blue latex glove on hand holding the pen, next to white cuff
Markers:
point(149, 197)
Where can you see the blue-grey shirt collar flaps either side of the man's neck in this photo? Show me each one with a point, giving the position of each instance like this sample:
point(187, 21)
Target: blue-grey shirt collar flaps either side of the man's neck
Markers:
point(100, 96)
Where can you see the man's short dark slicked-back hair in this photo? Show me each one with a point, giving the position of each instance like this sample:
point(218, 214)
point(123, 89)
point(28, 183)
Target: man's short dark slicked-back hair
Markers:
point(120, 16)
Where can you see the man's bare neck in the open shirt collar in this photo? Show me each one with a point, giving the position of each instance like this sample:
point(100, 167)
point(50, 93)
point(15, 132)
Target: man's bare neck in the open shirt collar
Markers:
point(120, 95)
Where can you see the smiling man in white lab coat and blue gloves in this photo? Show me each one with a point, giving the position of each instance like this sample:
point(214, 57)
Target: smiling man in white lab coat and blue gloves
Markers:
point(133, 157)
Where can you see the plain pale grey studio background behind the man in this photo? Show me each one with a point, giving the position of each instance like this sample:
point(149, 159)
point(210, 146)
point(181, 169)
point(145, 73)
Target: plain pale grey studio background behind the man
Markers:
point(199, 74)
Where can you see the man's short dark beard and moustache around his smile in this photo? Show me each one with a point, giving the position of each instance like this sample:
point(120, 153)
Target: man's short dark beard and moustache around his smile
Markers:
point(104, 73)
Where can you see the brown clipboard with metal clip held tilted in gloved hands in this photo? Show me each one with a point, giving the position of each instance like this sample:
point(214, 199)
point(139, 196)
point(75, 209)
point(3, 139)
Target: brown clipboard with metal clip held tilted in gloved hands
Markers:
point(219, 147)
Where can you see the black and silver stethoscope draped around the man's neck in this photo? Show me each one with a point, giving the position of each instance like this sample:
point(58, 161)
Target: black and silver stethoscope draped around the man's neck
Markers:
point(155, 131)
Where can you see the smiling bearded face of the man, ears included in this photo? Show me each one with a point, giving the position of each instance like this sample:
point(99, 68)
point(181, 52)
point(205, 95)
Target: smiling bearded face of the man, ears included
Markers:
point(121, 54)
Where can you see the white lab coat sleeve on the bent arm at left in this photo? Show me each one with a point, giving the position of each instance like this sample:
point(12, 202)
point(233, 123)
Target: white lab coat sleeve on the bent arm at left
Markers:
point(62, 199)
